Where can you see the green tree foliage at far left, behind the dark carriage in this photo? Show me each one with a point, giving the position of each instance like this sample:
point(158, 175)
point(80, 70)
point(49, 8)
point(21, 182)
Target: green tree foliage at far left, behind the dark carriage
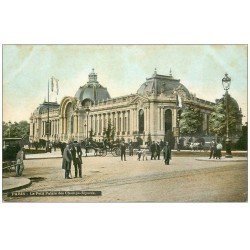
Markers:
point(16, 130)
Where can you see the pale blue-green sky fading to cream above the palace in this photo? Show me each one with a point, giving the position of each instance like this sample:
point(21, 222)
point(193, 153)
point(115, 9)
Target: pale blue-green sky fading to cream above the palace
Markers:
point(120, 68)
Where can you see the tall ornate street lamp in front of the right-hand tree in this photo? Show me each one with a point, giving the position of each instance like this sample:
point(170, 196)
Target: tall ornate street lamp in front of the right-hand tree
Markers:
point(226, 81)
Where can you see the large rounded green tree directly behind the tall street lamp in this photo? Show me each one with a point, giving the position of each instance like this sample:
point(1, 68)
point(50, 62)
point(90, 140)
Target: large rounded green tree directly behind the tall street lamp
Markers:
point(218, 118)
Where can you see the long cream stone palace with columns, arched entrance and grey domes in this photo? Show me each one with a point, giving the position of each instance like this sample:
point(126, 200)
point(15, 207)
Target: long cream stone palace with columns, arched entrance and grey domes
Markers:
point(152, 110)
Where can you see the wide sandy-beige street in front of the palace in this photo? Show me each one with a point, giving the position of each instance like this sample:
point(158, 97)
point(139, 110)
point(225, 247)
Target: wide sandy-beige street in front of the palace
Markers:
point(184, 180)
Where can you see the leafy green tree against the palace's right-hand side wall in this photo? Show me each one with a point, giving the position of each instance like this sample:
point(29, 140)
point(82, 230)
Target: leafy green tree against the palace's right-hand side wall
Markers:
point(191, 121)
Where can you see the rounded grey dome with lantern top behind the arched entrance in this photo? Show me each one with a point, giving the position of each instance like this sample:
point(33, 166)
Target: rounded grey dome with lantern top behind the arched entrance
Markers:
point(92, 90)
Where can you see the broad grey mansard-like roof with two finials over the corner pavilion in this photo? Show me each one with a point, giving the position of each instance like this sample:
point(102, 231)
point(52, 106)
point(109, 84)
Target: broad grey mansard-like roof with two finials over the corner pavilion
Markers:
point(161, 84)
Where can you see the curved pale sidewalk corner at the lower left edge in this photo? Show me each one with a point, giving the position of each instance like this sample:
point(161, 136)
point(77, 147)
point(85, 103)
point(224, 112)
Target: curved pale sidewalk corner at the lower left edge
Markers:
point(15, 183)
